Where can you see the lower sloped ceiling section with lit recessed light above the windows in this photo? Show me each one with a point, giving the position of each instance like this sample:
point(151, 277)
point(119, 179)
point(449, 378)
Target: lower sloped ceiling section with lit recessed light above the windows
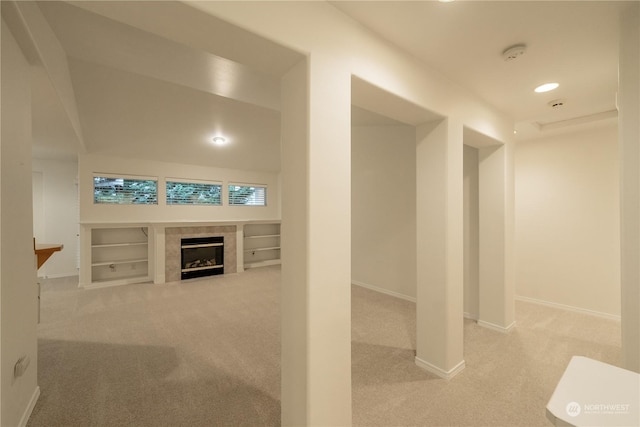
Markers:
point(150, 118)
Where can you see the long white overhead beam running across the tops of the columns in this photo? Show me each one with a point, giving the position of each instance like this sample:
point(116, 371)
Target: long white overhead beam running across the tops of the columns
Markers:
point(303, 26)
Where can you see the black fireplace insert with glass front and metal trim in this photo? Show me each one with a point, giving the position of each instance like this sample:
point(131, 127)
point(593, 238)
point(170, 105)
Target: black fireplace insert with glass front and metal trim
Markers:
point(202, 256)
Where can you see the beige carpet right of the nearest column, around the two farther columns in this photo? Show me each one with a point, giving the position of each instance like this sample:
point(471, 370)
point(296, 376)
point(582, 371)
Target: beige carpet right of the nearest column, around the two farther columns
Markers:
point(508, 378)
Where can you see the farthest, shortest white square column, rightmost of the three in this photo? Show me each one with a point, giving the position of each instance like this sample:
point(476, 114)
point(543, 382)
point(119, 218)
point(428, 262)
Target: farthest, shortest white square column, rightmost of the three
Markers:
point(496, 204)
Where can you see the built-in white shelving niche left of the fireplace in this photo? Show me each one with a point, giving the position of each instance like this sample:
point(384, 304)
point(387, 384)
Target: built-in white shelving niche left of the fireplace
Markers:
point(119, 255)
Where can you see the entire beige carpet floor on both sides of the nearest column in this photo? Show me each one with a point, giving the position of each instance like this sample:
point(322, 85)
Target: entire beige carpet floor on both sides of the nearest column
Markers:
point(205, 352)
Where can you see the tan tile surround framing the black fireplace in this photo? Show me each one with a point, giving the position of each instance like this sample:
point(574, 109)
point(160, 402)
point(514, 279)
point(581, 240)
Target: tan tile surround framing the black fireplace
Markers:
point(174, 235)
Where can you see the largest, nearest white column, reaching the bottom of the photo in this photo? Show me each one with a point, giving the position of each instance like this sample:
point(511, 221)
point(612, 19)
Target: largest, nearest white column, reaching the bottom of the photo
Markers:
point(316, 244)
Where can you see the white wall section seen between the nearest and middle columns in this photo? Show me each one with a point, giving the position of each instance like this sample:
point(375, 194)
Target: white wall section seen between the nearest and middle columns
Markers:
point(383, 208)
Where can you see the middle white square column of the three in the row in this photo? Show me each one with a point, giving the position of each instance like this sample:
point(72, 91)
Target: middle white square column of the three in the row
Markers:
point(439, 202)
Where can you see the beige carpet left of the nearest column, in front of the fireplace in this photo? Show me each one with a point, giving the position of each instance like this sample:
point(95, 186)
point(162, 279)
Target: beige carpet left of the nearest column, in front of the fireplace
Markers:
point(201, 352)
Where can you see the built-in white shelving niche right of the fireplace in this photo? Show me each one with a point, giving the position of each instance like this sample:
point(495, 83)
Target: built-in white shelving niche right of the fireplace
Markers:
point(261, 244)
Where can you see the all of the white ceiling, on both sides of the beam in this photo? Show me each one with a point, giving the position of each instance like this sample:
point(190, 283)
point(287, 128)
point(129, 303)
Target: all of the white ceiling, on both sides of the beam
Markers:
point(157, 79)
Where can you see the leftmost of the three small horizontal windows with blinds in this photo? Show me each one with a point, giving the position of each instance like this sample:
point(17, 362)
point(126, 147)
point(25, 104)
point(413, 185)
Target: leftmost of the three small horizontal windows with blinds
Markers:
point(117, 190)
